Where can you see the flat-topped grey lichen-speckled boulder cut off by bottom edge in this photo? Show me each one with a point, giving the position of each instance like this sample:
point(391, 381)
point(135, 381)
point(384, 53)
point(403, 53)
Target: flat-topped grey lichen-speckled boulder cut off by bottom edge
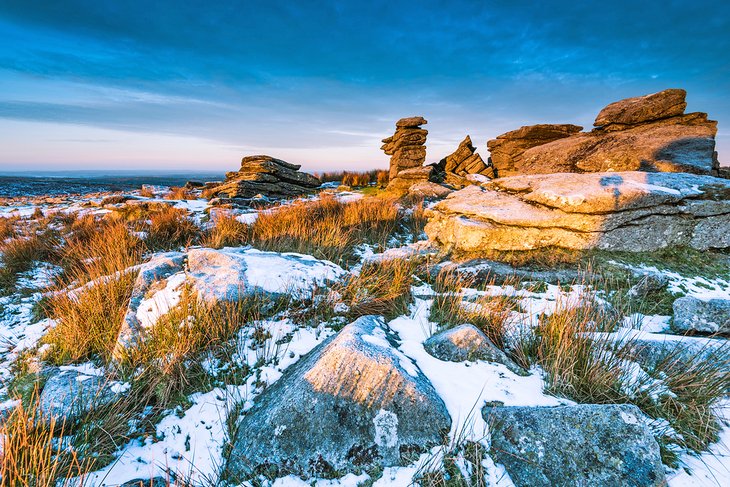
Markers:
point(575, 445)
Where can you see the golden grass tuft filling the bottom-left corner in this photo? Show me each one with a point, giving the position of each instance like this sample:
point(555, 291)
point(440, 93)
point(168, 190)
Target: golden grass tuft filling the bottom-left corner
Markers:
point(31, 456)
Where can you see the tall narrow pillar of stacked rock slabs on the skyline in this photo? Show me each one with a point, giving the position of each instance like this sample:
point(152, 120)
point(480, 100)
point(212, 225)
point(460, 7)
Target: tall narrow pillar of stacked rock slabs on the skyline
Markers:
point(408, 153)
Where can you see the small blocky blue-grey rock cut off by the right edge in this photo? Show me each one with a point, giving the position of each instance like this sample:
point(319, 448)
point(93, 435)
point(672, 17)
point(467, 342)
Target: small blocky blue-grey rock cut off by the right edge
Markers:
point(705, 316)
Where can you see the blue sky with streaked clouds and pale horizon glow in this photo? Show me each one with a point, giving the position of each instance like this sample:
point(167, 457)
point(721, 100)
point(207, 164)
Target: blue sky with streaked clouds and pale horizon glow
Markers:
point(196, 85)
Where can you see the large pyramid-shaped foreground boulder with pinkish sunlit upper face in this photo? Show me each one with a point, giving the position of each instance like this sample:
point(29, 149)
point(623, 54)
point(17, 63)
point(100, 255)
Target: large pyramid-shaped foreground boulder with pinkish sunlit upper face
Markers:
point(354, 402)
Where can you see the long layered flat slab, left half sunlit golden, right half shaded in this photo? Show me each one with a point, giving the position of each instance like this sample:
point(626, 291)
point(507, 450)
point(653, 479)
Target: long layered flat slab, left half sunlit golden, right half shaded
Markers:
point(629, 211)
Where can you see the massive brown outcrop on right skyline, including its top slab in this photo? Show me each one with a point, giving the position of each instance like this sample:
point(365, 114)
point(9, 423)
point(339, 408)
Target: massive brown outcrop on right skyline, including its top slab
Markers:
point(648, 133)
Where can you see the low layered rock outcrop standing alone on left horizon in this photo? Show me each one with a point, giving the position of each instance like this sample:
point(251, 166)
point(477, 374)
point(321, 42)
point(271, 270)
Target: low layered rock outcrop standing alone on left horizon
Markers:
point(268, 176)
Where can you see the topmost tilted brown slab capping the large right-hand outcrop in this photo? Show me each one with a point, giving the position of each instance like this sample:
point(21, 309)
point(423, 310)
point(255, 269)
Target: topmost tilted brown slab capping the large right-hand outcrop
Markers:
point(642, 109)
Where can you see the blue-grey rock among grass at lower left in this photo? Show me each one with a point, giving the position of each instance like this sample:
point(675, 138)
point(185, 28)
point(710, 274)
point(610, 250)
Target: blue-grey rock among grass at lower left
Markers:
point(69, 394)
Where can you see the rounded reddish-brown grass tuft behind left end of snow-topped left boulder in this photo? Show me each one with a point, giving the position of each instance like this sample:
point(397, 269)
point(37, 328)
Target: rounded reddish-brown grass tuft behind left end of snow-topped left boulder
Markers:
point(170, 228)
